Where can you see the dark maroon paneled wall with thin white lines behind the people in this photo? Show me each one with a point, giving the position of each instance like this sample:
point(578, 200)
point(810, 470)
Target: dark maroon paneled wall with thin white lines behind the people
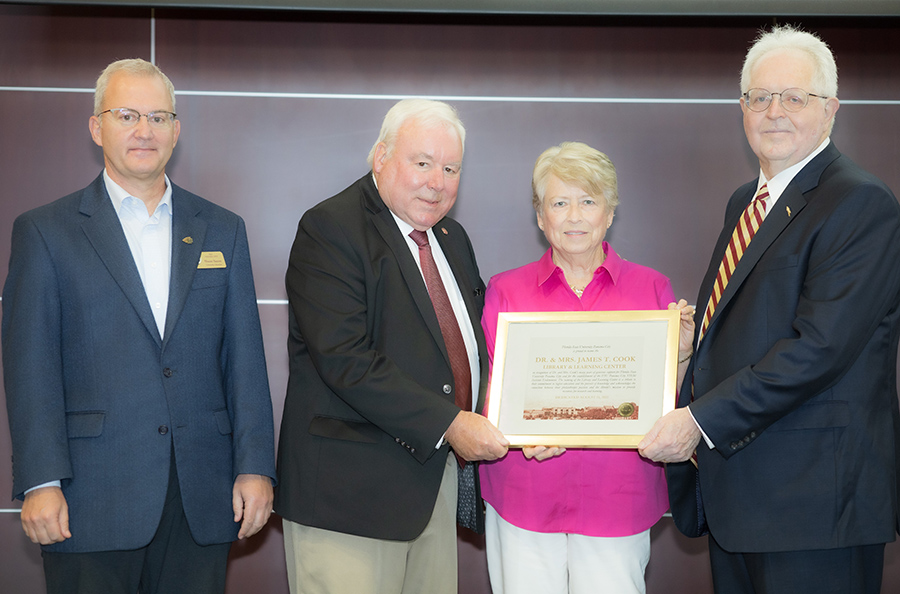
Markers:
point(279, 110)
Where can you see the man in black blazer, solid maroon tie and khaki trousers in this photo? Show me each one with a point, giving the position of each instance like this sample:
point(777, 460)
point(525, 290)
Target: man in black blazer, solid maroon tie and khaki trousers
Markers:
point(368, 485)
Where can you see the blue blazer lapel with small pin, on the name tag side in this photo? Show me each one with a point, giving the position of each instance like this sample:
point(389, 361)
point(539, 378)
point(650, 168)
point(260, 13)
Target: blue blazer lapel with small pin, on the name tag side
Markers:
point(188, 234)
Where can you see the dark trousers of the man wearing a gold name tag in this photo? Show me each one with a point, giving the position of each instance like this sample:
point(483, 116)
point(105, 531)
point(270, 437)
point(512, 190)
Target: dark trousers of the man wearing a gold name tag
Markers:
point(171, 564)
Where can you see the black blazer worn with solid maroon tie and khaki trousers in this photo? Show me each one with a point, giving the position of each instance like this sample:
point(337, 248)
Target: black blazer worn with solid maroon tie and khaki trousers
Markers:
point(370, 391)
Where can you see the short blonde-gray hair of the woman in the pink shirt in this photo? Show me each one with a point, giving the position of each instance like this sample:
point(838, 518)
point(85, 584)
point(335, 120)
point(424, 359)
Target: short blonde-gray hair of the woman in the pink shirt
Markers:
point(577, 164)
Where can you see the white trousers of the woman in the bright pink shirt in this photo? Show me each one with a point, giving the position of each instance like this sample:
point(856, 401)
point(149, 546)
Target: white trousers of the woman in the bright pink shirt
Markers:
point(525, 562)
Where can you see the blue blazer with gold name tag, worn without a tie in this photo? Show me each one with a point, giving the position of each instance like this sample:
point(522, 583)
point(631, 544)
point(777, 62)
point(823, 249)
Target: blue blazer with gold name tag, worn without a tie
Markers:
point(98, 399)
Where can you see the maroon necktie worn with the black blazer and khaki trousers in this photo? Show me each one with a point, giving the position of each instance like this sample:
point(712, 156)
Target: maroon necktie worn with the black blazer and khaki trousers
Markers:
point(456, 347)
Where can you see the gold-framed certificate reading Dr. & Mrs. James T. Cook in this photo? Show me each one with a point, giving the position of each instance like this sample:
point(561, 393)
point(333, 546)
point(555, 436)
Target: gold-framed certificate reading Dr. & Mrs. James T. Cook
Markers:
point(583, 379)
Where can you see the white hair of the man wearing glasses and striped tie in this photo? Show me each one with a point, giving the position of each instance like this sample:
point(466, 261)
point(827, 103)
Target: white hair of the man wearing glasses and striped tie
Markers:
point(788, 37)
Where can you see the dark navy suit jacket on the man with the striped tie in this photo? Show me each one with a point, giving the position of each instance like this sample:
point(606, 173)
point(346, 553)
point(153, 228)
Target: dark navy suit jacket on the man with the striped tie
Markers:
point(795, 380)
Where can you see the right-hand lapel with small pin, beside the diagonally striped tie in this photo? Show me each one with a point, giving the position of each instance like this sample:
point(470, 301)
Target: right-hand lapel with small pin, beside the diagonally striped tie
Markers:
point(788, 206)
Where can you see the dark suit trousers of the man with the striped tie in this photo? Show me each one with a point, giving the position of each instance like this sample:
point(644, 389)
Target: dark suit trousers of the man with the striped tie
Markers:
point(852, 570)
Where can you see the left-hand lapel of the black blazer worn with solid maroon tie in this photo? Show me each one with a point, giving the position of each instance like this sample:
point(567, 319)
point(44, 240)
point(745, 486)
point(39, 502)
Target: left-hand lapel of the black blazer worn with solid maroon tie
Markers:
point(387, 228)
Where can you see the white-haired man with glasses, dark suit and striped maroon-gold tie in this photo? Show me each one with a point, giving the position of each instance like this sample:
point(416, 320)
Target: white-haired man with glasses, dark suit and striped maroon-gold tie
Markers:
point(794, 414)
